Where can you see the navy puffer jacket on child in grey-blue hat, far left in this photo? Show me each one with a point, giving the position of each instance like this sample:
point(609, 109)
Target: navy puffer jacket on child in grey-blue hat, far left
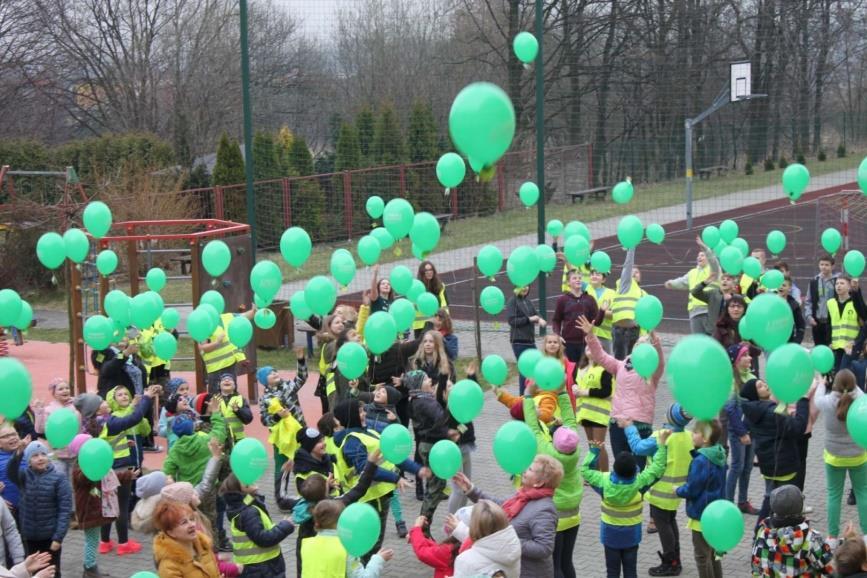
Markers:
point(46, 501)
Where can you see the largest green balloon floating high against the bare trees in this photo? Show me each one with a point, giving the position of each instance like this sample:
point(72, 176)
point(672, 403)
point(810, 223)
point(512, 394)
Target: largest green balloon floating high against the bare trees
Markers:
point(482, 122)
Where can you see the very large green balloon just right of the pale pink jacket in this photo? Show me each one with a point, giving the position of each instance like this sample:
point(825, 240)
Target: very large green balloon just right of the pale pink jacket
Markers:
point(700, 355)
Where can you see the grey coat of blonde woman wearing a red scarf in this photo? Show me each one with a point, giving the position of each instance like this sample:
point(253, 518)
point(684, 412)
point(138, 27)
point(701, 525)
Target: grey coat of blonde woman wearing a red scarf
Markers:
point(536, 526)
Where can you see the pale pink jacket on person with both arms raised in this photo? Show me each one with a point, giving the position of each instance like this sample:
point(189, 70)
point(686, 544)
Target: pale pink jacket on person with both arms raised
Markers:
point(634, 398)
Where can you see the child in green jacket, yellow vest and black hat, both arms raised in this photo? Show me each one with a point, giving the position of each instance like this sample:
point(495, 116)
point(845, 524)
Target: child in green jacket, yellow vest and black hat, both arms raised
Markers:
point(622, 492)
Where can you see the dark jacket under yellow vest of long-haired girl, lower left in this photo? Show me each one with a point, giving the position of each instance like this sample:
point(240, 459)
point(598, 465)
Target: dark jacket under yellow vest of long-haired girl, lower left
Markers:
point(245, 517)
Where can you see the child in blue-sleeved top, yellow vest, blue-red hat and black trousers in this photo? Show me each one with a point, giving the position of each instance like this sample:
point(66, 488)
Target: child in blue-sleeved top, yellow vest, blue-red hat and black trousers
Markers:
point(663, 501)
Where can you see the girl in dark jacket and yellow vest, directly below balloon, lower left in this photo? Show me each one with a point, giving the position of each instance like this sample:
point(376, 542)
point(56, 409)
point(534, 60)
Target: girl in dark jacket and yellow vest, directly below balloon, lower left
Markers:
point(255, 537)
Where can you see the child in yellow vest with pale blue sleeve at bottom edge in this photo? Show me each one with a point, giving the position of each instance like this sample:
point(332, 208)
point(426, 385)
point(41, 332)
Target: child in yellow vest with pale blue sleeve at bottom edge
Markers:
point(323, 555)
